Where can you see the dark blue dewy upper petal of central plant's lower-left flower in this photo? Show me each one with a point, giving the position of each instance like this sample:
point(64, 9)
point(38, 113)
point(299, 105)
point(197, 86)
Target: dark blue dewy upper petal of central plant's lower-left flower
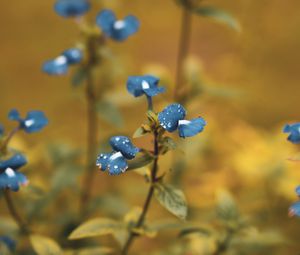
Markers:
point(124, 145)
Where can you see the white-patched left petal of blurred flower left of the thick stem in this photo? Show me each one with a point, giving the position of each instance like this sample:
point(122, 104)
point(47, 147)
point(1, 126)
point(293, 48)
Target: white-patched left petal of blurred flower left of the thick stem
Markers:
point(57, 66)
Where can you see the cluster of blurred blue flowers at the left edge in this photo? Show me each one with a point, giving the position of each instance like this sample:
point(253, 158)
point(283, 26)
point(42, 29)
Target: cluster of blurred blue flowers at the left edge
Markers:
point(10, 177)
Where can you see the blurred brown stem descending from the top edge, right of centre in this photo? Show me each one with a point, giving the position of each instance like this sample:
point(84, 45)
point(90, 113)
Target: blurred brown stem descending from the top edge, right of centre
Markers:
point(184, 41)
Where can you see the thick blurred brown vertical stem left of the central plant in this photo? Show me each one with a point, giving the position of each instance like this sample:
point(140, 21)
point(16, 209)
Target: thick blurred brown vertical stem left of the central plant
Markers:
point(91, 142)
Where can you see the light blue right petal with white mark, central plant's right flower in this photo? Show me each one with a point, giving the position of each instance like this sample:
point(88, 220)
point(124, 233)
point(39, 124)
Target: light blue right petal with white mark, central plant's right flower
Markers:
point(188, 128)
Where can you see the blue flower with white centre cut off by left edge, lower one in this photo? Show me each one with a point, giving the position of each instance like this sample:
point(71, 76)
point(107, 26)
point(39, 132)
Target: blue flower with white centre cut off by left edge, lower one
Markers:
point(10, 178)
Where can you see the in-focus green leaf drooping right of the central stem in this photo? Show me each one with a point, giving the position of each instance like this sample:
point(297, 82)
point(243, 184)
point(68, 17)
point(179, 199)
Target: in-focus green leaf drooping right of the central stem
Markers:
point(172, 199)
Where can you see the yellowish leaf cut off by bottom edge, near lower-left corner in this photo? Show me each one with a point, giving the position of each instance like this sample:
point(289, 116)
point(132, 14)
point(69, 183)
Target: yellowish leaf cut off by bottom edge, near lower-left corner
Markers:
point(44, 245)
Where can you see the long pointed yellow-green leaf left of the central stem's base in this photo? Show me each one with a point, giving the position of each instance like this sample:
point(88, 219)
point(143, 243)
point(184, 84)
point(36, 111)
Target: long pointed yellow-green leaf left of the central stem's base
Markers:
point(95, 227)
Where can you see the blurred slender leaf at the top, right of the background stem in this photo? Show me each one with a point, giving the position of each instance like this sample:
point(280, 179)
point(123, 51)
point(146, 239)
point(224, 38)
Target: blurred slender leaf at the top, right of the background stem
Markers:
point(218, 15)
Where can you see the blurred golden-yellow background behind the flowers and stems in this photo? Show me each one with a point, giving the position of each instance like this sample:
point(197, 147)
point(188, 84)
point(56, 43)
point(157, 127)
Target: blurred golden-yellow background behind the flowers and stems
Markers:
point(251, 80)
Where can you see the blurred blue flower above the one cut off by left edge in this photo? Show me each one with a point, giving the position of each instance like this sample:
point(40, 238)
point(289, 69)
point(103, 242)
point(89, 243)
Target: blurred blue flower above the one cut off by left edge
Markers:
point(34, 121)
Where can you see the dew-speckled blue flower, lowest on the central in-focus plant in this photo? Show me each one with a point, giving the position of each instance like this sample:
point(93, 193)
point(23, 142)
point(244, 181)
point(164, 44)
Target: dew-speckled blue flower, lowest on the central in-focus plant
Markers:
point(116, 161)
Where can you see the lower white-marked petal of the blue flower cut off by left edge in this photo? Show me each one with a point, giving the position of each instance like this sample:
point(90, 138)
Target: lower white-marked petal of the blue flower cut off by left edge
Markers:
point(12, 179)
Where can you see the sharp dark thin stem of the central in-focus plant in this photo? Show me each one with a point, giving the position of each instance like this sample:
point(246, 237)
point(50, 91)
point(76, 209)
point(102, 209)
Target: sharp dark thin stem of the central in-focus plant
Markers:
point(142, 217)
